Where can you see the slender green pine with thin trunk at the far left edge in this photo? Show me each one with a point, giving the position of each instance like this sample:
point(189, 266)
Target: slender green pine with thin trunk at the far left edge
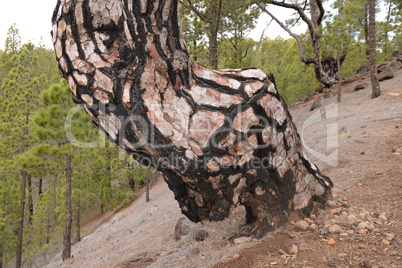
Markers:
point(20, 90)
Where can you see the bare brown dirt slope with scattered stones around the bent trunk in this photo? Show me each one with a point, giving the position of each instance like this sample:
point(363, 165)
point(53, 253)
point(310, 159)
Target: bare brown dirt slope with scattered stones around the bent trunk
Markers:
point(357, 143)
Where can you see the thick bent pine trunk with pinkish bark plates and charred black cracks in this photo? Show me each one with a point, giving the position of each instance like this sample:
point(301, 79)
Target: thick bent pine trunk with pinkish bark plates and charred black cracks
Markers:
point(221, 138)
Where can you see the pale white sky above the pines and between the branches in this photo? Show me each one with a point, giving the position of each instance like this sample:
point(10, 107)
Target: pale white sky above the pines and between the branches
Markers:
point(33, 20)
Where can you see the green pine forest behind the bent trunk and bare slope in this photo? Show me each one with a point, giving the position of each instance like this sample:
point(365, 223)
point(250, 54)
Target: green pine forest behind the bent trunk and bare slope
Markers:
point(39, 164)
